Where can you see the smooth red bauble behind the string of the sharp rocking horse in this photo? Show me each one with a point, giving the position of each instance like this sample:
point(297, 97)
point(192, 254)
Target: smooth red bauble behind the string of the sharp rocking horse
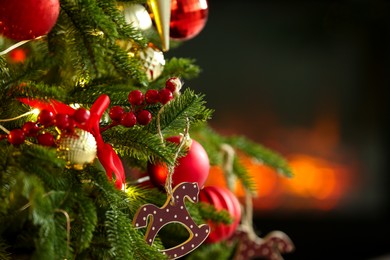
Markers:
point(193, 167)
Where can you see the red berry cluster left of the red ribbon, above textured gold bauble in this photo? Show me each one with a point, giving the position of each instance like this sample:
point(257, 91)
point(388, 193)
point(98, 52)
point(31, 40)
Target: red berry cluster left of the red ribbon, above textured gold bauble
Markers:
point(46, 119)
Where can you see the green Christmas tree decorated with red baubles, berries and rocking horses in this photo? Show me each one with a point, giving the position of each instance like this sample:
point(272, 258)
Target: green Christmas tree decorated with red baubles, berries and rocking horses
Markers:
point(99, 130)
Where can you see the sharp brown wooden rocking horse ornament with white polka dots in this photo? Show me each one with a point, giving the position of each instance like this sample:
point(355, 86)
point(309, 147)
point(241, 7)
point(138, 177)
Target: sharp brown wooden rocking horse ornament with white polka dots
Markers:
point(173, 211)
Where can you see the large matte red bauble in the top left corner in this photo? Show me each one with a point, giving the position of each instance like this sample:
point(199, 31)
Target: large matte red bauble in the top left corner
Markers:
point(27, 19)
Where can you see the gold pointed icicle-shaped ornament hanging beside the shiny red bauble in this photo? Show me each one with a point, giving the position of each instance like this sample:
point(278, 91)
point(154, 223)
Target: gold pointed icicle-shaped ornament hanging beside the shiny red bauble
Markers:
point(161, 11)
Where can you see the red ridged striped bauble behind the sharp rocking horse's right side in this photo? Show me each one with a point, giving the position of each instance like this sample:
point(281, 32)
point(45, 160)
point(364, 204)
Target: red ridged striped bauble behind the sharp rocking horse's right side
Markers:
point(221, 198)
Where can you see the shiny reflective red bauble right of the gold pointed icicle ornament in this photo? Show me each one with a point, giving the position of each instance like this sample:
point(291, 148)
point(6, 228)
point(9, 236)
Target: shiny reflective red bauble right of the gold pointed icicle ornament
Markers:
point(188, 17)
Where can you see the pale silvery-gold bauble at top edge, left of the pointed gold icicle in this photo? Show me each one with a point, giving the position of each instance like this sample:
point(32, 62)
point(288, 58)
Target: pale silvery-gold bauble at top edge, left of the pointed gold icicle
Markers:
point(137, 15)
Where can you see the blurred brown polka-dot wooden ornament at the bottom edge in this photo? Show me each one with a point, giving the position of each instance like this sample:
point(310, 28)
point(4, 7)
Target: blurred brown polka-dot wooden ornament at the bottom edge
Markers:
point(270, 247)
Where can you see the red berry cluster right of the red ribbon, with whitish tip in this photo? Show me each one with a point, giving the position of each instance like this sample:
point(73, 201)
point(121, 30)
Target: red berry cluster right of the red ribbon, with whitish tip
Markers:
point(138, 114)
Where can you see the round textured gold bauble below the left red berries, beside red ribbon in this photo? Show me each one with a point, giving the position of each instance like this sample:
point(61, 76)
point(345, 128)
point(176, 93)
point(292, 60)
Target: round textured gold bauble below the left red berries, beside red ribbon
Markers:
point(78, 149)
